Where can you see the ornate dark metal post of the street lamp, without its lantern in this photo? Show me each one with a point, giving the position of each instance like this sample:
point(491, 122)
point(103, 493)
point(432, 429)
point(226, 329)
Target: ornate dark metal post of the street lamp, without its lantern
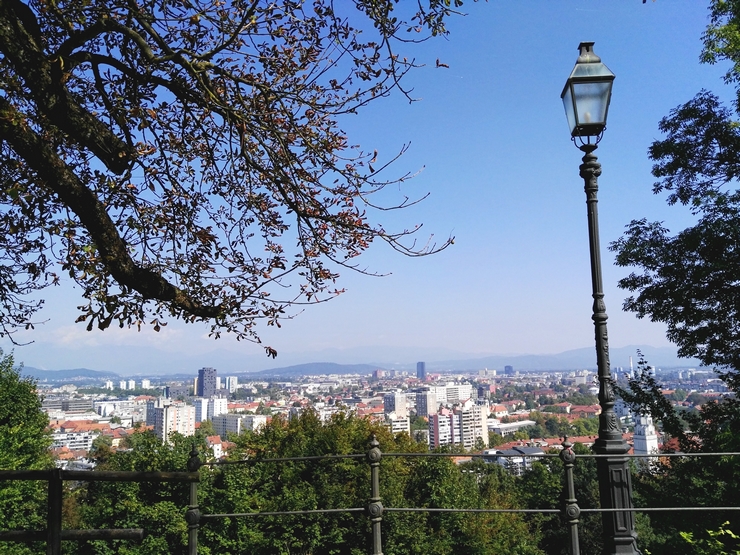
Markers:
point(615, 484)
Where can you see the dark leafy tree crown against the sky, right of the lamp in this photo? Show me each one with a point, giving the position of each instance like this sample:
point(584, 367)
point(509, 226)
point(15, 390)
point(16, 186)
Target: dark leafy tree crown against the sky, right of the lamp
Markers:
point(689, 279)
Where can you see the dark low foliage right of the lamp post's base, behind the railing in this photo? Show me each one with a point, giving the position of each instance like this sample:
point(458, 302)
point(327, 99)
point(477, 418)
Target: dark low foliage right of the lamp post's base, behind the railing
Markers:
point(681, 482)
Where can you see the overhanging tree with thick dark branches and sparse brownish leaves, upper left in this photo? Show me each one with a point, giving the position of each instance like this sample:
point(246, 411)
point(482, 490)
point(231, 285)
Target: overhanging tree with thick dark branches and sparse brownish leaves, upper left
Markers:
point(186, 159)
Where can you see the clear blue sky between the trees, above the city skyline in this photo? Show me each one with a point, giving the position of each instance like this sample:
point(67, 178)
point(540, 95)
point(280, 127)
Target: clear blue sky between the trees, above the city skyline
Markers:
point(490, 134)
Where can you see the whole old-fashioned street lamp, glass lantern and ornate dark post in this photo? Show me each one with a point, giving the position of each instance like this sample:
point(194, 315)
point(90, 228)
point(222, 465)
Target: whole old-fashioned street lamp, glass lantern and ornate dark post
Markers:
point(586, 97)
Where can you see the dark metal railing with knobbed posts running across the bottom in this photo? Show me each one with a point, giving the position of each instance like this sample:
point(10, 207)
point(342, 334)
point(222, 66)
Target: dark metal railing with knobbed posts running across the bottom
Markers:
point(373, 510)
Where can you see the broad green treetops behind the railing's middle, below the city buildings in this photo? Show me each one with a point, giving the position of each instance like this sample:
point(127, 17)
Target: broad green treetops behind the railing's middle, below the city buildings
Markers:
point(256, 485)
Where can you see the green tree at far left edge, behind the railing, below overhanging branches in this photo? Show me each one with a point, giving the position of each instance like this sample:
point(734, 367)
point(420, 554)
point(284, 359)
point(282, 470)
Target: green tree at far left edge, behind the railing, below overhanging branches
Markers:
point(24, 445)
